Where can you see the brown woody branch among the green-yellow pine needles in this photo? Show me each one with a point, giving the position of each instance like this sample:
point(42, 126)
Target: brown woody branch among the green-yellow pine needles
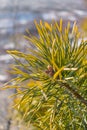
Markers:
point(75, 93)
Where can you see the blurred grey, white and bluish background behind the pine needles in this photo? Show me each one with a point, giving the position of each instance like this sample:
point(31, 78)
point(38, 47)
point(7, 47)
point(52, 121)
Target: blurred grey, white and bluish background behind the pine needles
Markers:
point(17, 16)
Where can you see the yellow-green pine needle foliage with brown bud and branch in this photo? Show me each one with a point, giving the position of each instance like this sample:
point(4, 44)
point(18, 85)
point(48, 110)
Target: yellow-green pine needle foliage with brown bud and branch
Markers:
point(51, 79)
